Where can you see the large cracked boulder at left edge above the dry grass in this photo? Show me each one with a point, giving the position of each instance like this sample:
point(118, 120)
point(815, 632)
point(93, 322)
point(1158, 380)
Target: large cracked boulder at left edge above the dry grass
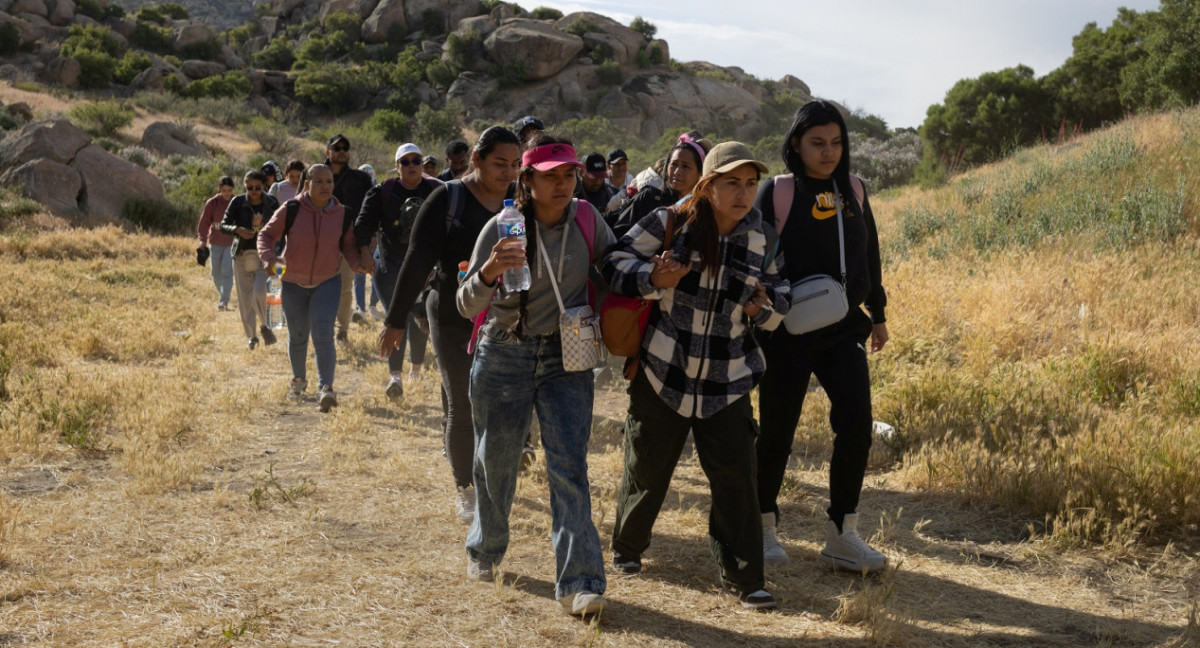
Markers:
point(59, 166)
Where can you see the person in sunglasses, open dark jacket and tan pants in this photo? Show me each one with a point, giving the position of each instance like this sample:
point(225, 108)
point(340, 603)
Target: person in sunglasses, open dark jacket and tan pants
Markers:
point(244, 219)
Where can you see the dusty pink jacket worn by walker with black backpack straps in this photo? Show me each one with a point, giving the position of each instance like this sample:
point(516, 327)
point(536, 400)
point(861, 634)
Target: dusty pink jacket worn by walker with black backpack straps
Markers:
point(316, 243)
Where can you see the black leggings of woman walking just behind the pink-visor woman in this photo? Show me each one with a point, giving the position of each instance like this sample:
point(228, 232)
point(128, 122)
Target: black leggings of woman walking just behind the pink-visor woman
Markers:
point(449, 335)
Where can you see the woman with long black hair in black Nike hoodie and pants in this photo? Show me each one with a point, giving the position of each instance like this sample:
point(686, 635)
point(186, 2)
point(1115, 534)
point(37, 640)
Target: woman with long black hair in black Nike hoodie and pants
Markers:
point(817, 152)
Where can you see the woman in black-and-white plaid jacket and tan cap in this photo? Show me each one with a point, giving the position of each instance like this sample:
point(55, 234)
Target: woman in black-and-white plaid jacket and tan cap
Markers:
point(699, 363)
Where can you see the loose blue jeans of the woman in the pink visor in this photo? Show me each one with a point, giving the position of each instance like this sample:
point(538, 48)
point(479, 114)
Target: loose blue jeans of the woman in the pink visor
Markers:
point(509, 382)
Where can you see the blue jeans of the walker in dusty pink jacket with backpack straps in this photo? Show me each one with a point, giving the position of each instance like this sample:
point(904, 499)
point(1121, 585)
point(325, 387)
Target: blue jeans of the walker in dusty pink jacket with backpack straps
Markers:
point(313, 310)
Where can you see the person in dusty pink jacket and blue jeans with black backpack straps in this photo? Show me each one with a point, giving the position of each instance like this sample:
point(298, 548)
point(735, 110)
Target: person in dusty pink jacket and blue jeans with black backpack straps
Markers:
point(316, 243)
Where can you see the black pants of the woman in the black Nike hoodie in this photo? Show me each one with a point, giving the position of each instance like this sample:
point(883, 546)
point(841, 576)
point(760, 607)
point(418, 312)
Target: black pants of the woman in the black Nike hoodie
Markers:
point(843, 371)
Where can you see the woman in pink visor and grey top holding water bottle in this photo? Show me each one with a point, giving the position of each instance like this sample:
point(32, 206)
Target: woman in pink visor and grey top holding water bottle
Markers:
point(519, 370)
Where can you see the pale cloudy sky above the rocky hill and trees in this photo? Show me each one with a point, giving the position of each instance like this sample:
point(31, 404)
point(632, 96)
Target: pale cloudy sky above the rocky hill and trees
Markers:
point(892, 59)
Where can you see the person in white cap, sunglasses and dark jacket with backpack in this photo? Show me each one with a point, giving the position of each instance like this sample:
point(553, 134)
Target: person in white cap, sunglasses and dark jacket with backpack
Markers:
point(391, 209)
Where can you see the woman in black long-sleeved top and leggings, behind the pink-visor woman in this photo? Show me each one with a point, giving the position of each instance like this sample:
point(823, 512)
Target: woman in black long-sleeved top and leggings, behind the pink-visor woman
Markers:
point(445, 235)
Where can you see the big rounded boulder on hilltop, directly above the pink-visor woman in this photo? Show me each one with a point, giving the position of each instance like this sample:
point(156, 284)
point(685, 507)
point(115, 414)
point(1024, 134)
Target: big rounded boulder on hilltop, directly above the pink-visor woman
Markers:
point(539, 49)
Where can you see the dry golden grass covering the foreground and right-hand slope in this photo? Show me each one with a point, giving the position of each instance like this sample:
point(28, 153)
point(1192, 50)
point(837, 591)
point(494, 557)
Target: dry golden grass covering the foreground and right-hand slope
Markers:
point(1043, 376)
